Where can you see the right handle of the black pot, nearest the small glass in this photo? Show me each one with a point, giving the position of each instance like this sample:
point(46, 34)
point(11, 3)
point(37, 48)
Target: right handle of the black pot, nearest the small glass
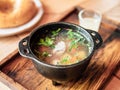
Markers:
point(96, 37)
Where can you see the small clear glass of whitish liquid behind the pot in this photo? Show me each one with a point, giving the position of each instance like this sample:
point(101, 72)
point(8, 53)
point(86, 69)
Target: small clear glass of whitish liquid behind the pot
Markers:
point(90, 19)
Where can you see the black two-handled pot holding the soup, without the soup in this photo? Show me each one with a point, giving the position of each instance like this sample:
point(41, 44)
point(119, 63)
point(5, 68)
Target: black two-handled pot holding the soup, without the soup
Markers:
point(59, 73)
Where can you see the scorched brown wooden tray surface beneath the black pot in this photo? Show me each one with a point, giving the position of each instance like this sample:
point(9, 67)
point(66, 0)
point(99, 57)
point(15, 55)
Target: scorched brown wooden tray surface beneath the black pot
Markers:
point(99, 71)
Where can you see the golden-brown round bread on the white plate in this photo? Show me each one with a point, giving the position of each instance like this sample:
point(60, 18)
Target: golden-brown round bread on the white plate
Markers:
point(15, 13)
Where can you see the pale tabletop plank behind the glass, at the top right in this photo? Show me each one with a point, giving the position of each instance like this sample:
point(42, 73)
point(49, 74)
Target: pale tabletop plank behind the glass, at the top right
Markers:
point(99, 5)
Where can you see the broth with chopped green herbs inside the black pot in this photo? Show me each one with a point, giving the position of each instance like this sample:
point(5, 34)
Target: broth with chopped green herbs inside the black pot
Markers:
point(62, 47)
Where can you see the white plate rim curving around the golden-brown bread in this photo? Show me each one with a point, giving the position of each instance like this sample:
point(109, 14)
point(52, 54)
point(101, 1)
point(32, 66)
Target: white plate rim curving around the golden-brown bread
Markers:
point(12, 31)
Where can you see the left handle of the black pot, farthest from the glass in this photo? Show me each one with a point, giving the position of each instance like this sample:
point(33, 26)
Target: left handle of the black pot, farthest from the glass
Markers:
point(23, 48)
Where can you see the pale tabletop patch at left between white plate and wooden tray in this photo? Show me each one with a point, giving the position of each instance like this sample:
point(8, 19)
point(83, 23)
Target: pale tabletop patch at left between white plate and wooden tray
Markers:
point(7, 48)
